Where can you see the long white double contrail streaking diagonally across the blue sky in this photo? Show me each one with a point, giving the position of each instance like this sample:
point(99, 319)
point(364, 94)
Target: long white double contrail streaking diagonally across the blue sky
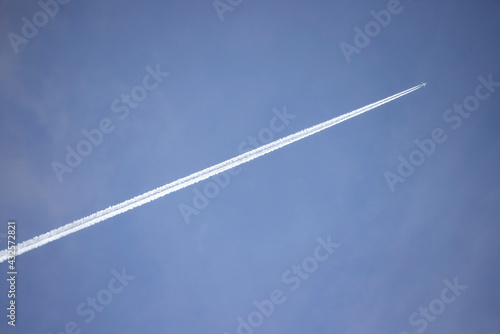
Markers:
point(184, 182)
